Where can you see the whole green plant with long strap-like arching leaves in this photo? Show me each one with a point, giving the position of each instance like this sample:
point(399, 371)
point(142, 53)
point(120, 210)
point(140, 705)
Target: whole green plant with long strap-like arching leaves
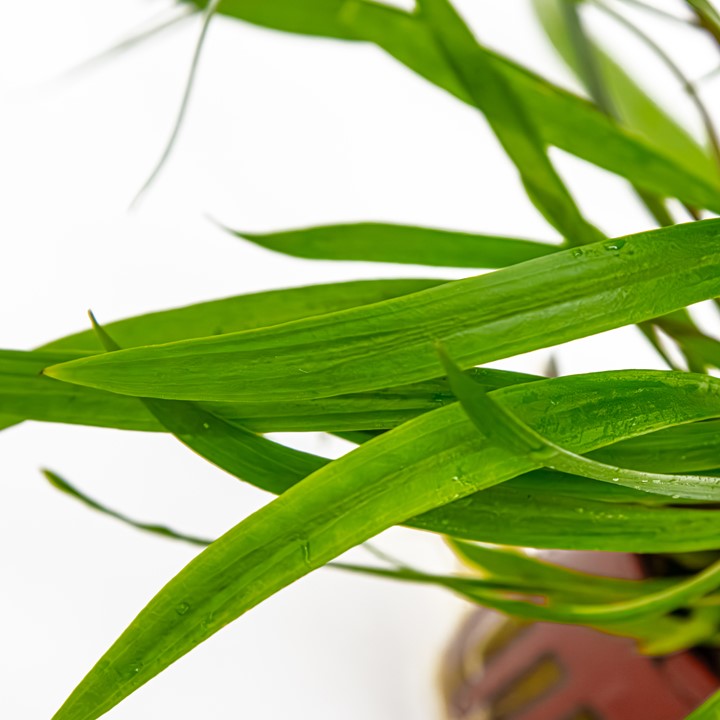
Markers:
point(607, 461)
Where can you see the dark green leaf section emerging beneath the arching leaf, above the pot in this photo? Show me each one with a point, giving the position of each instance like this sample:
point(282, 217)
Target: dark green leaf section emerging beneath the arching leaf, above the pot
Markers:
point(549, 510)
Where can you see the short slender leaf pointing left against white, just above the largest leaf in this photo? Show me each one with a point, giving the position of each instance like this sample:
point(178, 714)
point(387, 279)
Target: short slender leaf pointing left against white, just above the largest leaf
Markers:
point(378, 242)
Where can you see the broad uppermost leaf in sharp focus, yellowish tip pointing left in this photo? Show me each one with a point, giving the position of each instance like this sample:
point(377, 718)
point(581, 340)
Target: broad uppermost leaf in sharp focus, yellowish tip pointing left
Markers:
point(478, 320)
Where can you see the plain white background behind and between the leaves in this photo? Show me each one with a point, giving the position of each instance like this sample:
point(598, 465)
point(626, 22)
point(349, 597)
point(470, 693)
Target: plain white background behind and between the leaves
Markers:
point(282, 131)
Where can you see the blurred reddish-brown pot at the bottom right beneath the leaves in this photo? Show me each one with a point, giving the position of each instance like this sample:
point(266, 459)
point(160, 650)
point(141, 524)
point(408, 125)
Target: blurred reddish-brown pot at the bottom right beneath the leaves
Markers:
point(502, 669)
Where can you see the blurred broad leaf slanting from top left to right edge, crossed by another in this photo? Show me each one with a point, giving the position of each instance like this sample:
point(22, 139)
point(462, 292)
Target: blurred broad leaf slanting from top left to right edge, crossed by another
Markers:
point(561, 118)
